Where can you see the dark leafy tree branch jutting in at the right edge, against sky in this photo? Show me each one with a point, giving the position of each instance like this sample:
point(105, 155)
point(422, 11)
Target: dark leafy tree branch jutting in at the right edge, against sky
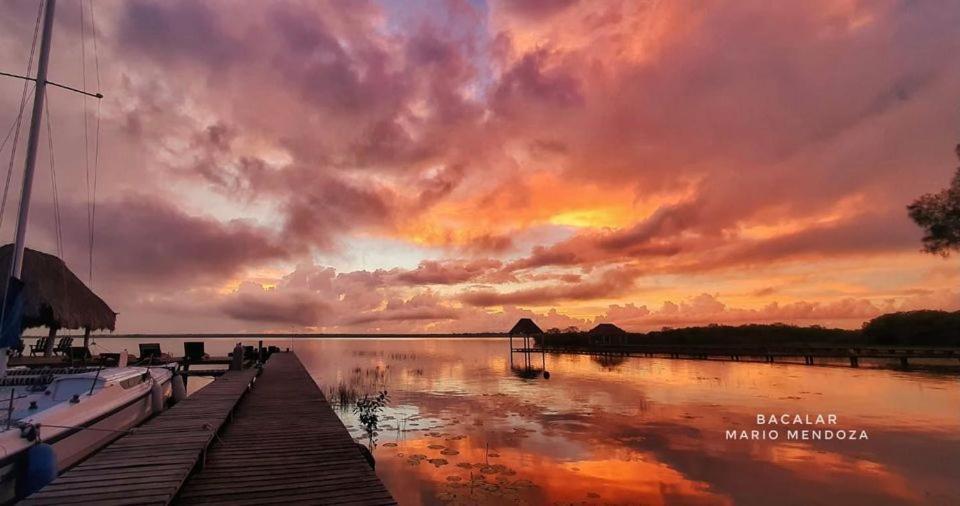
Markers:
point(938, 214)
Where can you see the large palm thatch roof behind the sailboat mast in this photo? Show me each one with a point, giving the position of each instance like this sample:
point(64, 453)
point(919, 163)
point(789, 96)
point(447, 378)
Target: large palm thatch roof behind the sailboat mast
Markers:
point(54, 296)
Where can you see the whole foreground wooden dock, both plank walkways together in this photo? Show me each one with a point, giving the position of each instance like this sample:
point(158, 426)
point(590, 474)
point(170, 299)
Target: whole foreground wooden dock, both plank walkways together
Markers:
point(277, 442)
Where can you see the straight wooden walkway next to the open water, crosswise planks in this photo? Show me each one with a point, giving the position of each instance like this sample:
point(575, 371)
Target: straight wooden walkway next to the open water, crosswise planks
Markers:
point(286, 445)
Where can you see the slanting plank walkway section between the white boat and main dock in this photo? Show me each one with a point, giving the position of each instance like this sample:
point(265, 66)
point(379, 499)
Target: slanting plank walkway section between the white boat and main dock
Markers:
point(150, 464)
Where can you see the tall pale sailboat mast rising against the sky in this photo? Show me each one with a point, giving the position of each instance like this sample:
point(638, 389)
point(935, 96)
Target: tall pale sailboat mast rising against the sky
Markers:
point(16, 266)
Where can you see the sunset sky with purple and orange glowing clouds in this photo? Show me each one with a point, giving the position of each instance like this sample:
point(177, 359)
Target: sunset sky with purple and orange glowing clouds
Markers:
point(452, 166)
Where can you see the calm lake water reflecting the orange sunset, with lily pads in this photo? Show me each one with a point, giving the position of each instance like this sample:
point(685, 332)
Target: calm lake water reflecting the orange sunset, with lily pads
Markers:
point(461, 427)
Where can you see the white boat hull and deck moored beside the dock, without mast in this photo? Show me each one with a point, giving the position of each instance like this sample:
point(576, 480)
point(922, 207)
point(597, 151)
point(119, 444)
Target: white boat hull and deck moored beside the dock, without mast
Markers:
point(75, 414)
